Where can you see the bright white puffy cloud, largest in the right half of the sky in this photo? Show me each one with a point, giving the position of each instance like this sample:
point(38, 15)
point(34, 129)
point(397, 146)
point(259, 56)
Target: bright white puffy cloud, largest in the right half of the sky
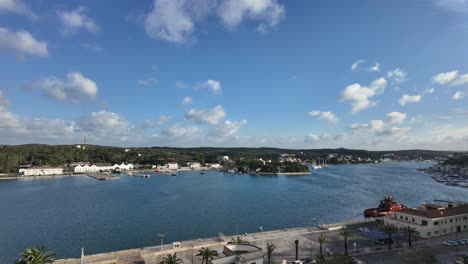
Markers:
point(360, 96)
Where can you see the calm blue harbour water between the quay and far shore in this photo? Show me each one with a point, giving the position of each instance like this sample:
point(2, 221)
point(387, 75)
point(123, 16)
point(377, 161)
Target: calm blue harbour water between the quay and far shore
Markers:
point(73, 212)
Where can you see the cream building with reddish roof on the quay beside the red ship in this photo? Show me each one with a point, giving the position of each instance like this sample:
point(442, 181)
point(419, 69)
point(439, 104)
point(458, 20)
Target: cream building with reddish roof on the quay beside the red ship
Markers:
point(432, 220)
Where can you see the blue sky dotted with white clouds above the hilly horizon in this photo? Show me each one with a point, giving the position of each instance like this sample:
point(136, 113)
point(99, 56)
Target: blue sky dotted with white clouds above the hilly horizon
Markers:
point(295, 74)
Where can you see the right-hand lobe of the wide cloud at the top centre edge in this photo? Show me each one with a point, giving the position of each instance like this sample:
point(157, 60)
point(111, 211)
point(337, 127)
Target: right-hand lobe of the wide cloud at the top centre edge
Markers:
point(268, 12)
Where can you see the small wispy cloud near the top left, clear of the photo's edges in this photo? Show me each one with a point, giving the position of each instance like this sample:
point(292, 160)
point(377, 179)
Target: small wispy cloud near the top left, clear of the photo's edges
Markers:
point(75, 20)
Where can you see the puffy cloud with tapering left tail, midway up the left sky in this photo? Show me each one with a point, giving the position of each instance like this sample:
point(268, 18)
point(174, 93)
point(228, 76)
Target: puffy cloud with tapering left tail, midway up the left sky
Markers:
point(75, 88)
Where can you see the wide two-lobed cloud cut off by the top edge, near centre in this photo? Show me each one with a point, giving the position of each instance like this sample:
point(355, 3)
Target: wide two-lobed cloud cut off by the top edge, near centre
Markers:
point(175, 20)
